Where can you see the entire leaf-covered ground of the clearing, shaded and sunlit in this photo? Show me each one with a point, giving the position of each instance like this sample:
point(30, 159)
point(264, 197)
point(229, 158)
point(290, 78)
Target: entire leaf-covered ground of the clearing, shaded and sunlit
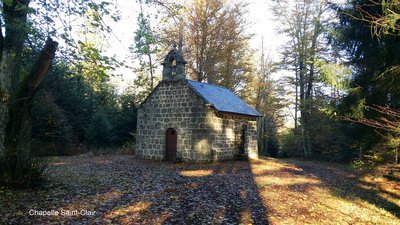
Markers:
point(126, 190)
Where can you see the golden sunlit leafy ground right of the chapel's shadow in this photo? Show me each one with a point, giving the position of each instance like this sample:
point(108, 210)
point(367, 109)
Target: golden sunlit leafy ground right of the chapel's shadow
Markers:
point(299, 192)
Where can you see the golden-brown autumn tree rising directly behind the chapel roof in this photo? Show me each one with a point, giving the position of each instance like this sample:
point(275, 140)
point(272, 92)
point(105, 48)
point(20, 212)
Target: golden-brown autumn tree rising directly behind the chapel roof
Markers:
point(215, 42)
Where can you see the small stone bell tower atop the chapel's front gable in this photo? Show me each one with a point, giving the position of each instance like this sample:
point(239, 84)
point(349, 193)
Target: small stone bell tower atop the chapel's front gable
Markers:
point(174, 65)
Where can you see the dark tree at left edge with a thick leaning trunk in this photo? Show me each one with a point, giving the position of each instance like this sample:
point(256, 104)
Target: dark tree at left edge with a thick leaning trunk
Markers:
point(18, 83)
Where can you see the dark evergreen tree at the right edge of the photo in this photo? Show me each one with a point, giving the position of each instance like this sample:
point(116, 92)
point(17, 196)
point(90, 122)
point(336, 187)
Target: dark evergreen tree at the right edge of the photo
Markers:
point(375, 78)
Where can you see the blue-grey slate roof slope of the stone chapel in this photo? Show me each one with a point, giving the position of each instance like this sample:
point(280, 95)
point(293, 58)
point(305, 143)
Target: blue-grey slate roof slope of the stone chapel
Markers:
point(222, 98)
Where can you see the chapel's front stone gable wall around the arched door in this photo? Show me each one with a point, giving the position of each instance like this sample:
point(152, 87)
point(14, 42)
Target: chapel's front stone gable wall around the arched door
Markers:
point(171, 105)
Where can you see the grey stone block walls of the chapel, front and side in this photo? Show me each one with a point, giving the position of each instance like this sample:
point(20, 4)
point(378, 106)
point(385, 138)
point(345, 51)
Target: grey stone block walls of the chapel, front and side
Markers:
point(203, 134)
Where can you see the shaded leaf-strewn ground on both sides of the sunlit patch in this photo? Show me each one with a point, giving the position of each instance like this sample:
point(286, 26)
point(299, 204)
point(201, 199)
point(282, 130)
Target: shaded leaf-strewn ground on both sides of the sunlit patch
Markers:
point(131, 191)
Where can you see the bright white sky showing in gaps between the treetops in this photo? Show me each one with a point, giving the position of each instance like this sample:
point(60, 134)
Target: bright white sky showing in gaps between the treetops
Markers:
point(259, 17)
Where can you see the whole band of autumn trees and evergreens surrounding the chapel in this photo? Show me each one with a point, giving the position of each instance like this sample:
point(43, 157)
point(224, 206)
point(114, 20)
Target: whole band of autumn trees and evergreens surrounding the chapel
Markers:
point(337, 100)
